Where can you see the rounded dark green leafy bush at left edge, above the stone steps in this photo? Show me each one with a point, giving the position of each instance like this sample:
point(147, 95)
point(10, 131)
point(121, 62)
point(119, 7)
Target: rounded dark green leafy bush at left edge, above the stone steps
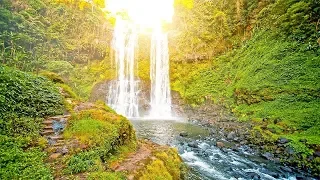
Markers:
point(23, 94)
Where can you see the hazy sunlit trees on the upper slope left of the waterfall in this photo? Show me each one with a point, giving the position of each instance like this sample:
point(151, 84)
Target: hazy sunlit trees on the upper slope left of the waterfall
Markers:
point(38, 34)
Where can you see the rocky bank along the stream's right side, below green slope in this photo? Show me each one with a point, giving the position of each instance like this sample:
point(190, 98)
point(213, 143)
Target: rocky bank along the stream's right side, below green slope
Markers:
point(231, 134)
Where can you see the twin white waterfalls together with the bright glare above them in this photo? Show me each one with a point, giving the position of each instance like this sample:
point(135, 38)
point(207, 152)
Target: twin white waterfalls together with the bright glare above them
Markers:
point(124, 91)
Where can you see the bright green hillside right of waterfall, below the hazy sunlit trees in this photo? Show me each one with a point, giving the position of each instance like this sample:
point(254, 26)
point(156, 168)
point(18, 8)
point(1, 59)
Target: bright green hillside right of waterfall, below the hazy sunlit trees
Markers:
point(272, 80)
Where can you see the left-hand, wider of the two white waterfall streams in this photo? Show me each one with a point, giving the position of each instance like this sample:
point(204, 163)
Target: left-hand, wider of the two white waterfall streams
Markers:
point(123, 93)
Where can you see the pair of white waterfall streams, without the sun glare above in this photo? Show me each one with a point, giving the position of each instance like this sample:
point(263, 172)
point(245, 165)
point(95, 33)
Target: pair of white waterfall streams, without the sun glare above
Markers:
point(124, 92)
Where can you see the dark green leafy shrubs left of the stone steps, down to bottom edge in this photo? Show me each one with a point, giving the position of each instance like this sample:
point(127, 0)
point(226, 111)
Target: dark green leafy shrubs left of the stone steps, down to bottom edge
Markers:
point(25, 100)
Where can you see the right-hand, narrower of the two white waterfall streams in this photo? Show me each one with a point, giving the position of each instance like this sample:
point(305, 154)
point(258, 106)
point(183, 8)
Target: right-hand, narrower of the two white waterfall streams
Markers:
point(159, 74)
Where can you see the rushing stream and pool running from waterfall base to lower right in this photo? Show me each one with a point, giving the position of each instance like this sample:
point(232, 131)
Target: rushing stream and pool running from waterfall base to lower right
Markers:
point(207, 161)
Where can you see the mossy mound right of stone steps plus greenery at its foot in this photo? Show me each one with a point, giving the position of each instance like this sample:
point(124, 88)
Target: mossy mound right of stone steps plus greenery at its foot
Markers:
point(102, 134)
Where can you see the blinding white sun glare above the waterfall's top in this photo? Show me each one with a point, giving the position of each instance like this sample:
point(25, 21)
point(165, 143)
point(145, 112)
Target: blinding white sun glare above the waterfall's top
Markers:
point(144, 13)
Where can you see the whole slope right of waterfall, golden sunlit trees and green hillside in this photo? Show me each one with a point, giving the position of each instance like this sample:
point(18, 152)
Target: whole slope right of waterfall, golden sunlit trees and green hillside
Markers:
point(264, 67)
